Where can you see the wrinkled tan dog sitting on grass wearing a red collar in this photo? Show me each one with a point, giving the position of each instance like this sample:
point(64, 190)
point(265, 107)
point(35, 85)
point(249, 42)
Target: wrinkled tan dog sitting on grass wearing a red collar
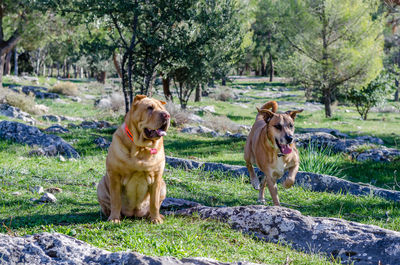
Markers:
point(133, 184)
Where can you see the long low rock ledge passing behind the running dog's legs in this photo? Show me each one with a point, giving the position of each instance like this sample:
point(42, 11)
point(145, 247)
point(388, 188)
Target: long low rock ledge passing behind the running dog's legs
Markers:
point(310, 181)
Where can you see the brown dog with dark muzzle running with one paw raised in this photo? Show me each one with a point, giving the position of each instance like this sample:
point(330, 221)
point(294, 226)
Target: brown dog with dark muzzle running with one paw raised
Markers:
point(270, 145)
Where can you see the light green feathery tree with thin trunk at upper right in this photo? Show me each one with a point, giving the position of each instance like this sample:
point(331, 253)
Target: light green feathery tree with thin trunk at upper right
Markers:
point(336, 43)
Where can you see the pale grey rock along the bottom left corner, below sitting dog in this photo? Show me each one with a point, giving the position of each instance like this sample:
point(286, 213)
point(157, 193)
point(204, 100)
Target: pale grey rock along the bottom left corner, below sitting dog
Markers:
point(46, 248)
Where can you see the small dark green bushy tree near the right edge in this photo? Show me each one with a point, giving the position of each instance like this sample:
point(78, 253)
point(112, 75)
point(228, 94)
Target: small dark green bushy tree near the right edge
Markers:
point(371, 95)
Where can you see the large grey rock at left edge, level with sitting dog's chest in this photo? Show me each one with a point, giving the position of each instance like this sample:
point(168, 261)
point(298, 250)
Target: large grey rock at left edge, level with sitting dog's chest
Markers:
point(24, 134)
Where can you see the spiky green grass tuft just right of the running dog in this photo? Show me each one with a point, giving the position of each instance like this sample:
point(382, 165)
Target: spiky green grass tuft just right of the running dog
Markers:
point(320, 160)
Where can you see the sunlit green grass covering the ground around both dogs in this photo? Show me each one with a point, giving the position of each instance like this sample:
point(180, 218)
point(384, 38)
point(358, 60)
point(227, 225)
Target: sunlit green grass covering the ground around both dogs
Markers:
point(77, 212)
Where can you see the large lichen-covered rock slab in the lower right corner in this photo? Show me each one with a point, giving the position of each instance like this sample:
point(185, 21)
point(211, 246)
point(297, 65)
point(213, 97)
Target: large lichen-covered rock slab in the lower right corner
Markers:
point(349, 241)
